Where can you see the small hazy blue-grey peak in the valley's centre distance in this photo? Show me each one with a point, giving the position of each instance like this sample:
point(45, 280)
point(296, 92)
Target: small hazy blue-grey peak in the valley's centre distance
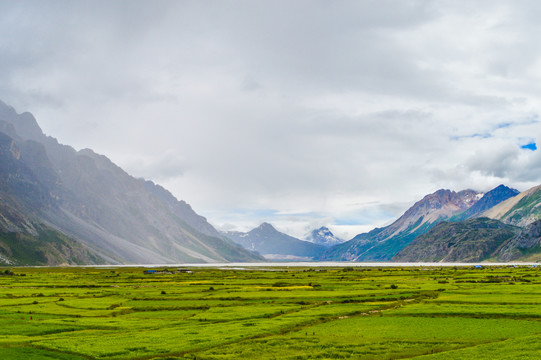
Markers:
point(274, 245)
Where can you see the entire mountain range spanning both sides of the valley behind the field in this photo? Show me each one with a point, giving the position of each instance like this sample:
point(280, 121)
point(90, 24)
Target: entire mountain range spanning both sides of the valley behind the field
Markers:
point(62, 206)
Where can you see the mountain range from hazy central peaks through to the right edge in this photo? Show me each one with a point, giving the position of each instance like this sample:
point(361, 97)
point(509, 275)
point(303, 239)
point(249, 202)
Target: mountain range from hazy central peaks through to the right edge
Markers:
point(446, 226)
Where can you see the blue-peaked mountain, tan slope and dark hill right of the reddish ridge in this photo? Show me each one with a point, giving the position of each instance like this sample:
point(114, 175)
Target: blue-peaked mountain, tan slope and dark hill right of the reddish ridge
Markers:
point(509, 230)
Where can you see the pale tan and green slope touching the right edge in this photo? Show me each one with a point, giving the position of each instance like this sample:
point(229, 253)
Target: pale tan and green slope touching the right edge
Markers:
point(521, 210)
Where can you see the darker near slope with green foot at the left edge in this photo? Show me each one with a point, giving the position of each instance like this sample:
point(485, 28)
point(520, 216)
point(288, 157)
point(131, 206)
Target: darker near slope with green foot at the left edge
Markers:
point(24, 239)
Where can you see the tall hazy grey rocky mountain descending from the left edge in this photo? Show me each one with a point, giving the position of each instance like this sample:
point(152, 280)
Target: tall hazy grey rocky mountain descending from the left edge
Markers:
point(84, 196)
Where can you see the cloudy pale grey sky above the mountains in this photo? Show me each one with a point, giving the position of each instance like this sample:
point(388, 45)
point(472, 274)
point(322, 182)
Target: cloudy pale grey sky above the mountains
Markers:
point(298, 113)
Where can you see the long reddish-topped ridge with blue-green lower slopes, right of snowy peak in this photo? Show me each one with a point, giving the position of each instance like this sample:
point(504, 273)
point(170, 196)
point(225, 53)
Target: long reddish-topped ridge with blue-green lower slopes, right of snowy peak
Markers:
point(382, 244)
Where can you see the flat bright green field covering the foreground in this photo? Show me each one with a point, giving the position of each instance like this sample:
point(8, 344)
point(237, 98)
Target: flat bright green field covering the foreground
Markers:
point(281, 313)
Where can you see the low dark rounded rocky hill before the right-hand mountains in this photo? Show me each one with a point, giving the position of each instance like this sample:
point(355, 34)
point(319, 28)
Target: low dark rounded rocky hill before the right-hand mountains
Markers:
point(466, 241)
